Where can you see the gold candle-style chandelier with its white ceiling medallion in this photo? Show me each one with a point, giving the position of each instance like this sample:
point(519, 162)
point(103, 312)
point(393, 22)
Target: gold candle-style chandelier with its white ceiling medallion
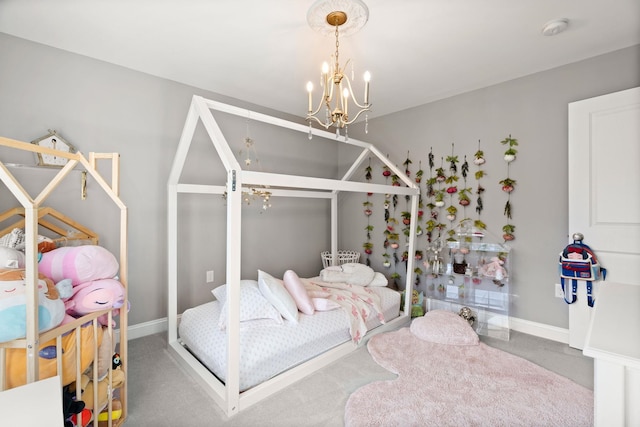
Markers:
point(337, 91)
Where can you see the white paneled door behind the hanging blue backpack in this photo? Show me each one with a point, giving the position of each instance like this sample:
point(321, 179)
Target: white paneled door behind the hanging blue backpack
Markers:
point(604, 191)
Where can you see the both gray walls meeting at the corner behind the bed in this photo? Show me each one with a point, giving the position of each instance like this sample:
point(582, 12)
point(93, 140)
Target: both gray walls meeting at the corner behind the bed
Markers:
point(105, 108)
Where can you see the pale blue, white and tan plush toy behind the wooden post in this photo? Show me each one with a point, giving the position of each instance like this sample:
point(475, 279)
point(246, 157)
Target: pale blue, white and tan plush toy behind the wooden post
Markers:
point(13, 303)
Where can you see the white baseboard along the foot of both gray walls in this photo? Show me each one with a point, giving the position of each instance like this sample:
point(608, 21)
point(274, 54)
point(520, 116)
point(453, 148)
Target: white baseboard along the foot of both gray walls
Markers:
point(540, 330)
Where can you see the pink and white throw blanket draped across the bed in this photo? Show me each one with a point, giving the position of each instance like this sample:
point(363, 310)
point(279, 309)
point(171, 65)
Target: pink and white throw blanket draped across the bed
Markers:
point(358, 302)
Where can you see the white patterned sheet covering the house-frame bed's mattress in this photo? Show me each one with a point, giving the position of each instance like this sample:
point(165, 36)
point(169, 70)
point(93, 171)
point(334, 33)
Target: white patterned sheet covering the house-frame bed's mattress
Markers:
point(267, 349)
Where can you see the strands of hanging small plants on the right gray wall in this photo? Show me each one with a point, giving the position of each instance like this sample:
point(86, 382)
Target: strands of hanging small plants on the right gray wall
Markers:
point(448, 200)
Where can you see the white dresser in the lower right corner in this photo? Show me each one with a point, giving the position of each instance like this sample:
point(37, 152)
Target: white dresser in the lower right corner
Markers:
point(613, 340)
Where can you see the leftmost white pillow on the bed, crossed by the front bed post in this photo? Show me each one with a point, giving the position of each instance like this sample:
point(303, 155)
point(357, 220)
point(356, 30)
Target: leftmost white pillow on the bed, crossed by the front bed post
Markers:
point(253, 305)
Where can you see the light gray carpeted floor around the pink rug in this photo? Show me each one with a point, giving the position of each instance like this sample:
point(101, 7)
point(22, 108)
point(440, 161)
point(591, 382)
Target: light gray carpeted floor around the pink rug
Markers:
point(161, 394)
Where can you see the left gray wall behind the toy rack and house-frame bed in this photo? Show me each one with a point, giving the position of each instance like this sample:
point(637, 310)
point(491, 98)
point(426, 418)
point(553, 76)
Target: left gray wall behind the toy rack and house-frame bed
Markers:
point(101, 107)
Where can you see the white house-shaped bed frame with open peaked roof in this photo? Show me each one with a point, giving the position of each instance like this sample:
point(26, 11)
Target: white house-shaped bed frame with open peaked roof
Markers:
point(228, 394)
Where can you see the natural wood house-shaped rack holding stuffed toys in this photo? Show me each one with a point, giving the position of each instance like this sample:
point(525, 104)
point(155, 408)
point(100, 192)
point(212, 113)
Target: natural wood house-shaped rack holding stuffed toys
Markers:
point(86, 345)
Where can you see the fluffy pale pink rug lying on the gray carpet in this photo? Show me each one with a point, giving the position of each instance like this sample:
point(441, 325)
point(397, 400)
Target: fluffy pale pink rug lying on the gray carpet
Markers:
point(462, 385)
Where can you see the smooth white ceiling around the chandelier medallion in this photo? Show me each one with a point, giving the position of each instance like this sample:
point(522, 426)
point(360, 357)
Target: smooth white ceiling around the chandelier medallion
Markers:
point(264, 52)
